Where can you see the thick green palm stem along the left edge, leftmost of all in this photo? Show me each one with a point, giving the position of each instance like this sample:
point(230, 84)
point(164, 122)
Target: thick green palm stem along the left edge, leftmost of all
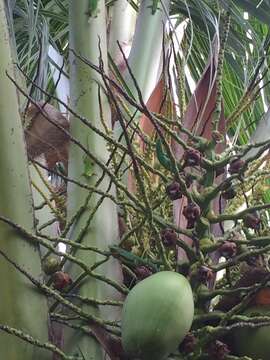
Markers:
point(22, 306)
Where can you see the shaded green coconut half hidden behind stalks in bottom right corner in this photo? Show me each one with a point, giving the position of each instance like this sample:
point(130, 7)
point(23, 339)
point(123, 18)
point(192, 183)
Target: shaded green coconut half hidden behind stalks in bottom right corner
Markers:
point(254, 342)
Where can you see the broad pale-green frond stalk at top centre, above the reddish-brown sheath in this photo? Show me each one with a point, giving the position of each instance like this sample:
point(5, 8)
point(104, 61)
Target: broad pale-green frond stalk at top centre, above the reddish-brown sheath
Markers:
point(145, 55)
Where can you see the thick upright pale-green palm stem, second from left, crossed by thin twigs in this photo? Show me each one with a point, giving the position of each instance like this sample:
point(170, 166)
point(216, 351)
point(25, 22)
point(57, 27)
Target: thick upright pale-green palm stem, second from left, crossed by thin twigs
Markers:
point(101, 229)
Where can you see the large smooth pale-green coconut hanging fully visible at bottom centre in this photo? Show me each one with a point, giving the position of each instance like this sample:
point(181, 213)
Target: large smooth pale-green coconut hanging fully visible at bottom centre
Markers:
point(157, 315)
